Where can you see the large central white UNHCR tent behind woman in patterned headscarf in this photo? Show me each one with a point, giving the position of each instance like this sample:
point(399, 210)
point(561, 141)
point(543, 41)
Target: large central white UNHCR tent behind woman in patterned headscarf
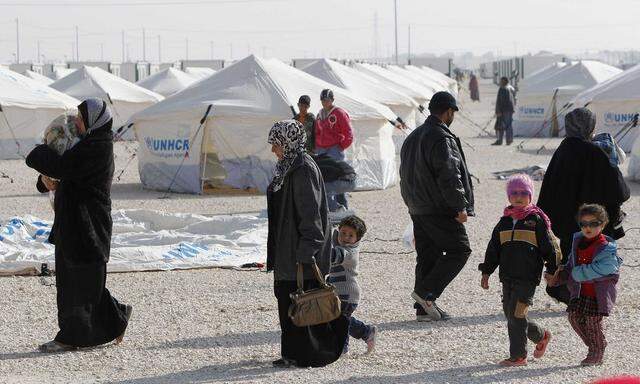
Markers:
point(224, 121)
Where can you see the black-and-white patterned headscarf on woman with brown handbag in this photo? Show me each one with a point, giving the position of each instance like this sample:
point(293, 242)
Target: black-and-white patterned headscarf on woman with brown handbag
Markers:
point(291, 136)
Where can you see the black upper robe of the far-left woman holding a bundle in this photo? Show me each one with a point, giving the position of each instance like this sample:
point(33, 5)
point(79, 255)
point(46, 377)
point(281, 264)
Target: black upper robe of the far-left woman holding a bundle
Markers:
point(82, 225)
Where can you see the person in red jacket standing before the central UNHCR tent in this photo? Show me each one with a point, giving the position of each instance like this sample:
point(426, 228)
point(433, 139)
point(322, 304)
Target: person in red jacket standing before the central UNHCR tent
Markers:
point(333, 136)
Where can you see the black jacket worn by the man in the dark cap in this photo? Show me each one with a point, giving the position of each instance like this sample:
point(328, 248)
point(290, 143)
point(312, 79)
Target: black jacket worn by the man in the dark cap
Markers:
point(434, 178)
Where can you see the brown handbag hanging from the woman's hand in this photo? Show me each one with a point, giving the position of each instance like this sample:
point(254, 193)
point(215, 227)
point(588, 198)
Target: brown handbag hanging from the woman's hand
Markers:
point(316, 306)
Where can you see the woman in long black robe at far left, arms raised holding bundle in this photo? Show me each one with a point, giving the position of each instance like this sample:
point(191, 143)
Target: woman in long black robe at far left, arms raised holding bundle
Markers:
point(87, 313)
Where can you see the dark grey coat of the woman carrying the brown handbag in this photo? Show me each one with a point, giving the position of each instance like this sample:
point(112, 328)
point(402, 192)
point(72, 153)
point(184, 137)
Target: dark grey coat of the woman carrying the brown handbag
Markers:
point(299, 228)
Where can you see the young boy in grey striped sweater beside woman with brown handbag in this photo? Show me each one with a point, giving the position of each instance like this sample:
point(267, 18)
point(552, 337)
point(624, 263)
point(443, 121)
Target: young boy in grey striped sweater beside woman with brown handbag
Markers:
point(344, 269)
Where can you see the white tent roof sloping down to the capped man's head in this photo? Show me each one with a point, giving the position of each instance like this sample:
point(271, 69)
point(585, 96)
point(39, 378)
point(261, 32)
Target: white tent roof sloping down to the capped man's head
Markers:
point(417, 92)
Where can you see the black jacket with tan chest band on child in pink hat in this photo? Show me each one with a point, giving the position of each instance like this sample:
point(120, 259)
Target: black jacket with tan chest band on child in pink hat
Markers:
point(521, 250)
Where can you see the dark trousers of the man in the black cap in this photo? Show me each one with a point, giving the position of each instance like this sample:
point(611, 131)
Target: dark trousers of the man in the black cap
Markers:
point(443, 249)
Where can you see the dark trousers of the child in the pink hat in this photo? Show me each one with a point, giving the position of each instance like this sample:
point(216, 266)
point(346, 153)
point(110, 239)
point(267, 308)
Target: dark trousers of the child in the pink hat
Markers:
point(516, 299)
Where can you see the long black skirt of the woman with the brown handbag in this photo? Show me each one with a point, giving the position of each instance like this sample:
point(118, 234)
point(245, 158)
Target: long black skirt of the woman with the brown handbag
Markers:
point(314, 346)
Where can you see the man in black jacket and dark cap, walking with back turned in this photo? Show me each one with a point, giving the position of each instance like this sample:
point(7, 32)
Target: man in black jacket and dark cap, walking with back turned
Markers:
point(436, 187)
